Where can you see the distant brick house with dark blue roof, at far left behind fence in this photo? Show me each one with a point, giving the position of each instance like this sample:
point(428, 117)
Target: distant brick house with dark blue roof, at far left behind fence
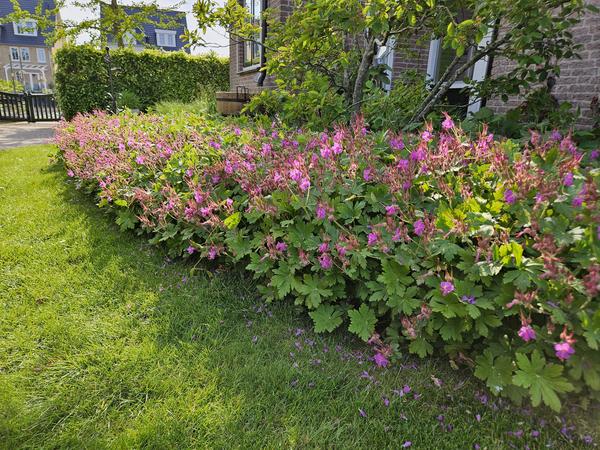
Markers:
point(24, 54)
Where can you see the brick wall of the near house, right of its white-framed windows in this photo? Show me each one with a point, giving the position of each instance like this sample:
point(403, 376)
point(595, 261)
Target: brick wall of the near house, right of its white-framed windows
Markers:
point(579, 80)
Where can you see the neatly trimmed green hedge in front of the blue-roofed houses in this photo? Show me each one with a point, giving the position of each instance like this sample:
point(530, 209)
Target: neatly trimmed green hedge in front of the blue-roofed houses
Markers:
point(82, 79)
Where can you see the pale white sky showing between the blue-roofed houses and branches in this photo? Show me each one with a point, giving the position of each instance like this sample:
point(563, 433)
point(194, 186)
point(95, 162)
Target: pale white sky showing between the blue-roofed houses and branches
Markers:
point(217, 38)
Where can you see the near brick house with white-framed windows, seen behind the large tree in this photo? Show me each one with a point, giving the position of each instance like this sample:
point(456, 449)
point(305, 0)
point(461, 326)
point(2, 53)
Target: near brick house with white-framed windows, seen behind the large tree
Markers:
point(579, 81)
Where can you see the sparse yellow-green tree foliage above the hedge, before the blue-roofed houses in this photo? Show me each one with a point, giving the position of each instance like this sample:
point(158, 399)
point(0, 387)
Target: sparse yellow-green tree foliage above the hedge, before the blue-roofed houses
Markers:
point(118, 19)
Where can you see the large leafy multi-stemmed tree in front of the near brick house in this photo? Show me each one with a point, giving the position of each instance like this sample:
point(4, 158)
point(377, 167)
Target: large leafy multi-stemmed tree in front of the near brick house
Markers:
point(334, 42)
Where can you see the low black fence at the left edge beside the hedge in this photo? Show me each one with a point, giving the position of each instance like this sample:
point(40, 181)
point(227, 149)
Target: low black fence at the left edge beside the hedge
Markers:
point(29, 107)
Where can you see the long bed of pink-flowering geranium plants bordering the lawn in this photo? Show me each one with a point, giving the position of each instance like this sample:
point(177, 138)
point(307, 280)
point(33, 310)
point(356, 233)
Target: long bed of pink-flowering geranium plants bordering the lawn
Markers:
point(477, 248)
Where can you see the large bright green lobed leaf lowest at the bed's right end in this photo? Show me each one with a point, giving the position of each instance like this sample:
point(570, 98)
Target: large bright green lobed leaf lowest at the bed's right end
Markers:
point(544, 381)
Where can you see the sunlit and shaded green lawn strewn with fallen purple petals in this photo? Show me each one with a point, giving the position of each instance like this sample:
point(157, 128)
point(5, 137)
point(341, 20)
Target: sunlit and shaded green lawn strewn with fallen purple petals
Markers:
point(105, 343)
